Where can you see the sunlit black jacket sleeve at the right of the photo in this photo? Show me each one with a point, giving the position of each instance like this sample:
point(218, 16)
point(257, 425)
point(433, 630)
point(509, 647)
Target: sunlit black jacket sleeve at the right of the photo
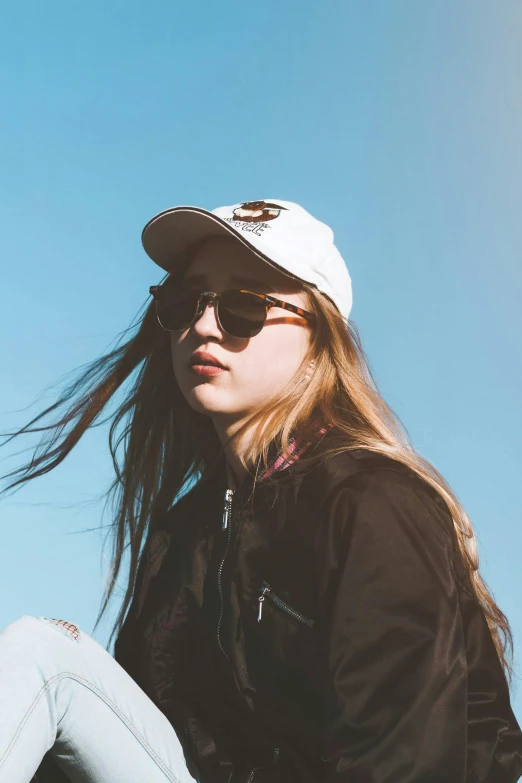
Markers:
point(396, 648)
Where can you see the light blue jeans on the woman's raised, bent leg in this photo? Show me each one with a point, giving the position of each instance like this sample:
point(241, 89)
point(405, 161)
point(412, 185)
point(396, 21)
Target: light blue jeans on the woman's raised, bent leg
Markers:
point(60, 690)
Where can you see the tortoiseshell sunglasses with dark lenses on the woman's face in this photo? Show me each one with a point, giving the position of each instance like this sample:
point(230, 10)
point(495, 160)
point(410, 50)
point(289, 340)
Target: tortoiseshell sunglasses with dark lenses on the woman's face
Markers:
point(239, 313)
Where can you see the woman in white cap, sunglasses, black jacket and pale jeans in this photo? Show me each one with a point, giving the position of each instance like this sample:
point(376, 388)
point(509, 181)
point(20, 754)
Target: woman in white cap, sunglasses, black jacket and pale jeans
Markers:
point(306, 605)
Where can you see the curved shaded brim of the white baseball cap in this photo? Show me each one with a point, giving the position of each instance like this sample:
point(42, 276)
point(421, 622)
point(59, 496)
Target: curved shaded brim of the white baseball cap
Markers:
point(168, 234)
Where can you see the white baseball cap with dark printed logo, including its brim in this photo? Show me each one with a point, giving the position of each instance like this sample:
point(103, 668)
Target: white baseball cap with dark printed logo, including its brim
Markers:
point(282, 233)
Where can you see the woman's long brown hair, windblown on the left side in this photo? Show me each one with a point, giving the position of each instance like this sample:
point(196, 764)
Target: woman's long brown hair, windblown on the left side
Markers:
point(167, 445)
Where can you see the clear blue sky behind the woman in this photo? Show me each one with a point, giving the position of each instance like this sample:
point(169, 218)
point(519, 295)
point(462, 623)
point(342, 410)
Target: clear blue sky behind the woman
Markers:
point(397, 123)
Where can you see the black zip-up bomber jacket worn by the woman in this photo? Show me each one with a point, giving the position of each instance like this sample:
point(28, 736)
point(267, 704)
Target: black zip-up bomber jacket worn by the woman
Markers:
point(371, 662)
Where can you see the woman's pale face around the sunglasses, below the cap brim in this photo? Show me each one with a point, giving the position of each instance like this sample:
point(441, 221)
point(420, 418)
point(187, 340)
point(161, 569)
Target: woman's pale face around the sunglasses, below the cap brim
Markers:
point(257, 368)
